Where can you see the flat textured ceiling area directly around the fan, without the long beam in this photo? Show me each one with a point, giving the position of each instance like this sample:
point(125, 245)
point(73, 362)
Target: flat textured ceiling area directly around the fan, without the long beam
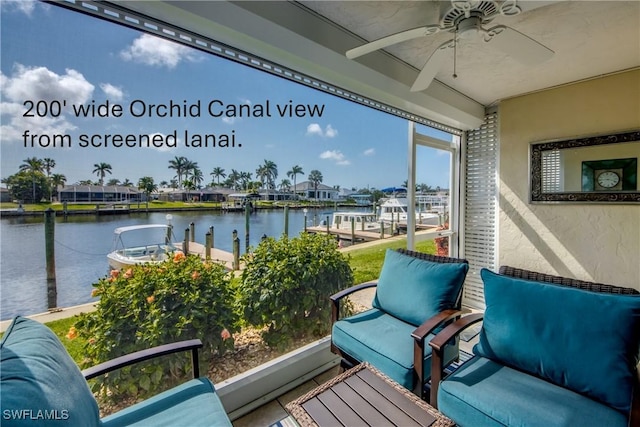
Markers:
point(589, 38)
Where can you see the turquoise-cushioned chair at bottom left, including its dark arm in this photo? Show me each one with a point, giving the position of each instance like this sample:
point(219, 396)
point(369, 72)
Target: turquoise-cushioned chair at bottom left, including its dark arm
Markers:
point(40, 385)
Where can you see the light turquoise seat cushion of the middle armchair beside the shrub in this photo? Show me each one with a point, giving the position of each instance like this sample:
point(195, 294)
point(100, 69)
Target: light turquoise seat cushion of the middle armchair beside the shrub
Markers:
point(386, 343)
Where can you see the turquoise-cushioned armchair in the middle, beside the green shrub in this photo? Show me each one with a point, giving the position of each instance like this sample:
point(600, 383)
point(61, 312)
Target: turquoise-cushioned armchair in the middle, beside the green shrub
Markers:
point(416, 294)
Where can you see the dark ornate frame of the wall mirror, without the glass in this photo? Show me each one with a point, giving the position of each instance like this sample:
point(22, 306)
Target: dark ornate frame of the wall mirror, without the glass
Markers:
point(535, 167)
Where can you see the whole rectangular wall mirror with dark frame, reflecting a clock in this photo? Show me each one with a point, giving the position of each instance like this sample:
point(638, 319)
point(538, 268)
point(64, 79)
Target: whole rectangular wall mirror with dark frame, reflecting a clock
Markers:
point(597, 169)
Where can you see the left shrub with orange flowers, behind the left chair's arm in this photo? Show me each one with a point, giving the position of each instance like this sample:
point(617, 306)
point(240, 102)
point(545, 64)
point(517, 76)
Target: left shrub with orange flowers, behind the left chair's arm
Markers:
point(153, 304)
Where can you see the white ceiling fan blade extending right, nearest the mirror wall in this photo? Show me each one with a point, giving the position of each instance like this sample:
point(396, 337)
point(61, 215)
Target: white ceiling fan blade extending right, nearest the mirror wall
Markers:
point(521, 47)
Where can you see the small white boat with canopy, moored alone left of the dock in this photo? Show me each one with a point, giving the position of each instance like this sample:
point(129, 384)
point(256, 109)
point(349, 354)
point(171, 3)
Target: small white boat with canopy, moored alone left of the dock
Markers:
point(128, 248)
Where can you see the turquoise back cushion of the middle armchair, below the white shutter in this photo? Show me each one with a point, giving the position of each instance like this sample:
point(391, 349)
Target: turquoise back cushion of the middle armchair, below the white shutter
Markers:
point(415, 290)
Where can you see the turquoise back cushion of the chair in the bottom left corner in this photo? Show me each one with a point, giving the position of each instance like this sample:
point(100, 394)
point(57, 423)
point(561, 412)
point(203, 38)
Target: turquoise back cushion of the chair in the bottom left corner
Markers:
point(40, 381)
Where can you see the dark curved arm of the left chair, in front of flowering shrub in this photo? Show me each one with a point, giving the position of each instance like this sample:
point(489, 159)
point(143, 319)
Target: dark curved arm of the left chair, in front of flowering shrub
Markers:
point(142, 355)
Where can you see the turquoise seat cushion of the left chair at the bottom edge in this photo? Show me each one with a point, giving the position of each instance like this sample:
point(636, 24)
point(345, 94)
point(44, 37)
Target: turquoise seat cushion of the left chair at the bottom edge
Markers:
point(194, 403)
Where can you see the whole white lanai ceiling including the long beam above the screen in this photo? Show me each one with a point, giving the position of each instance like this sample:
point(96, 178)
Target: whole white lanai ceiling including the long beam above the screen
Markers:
point(589, 38)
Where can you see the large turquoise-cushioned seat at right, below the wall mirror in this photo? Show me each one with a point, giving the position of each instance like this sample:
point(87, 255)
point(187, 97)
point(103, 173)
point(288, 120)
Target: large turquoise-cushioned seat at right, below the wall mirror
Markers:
point(552, 351)
